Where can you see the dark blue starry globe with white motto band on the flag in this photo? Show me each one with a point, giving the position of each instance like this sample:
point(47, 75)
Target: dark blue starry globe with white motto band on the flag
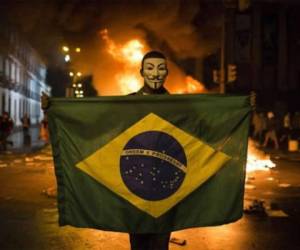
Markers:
point(153, 165)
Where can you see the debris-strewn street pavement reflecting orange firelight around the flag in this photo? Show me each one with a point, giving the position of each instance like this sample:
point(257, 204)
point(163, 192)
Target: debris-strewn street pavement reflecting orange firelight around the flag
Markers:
point(28, 217)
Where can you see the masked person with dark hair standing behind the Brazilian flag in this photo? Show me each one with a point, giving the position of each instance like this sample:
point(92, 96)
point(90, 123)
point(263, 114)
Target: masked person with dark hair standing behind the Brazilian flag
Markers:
point(154, 70)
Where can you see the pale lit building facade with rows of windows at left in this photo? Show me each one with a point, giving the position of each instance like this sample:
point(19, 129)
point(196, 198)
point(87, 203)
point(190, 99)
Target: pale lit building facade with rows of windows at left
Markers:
point(22, 77)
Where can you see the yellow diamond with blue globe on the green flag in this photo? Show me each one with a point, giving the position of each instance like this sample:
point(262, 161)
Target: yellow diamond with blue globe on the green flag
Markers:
point(153, 164)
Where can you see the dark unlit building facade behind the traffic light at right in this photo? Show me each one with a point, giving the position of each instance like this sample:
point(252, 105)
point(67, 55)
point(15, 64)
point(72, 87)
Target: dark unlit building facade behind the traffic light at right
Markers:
point(263, 41)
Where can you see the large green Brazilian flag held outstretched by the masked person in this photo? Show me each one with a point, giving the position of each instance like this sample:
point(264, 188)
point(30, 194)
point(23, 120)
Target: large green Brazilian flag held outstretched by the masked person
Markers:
point(149, 164)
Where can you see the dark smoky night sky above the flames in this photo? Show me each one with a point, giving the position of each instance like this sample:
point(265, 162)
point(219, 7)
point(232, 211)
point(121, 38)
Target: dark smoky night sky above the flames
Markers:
point(182, 25)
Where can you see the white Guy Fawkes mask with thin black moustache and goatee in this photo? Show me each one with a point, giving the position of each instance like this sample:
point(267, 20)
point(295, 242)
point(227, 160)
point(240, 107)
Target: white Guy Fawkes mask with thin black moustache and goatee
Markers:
point(154, 71)
